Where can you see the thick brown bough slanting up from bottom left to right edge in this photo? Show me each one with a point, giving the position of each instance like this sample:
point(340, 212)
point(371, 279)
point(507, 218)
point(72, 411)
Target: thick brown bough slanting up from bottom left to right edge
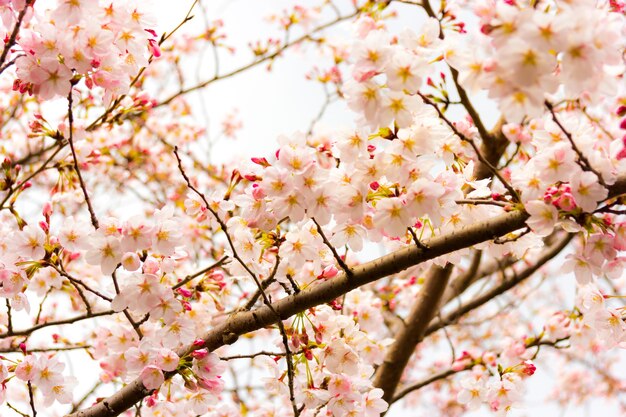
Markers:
point(249, 321)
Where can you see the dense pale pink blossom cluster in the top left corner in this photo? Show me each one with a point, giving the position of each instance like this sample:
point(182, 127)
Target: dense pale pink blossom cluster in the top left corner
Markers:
point(105, 43)
